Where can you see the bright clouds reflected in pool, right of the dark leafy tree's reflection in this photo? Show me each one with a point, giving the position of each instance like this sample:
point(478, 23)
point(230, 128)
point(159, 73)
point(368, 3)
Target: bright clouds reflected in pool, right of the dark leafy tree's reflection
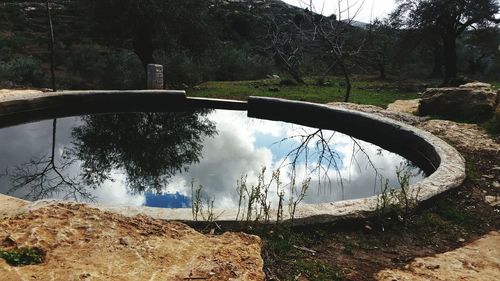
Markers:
point(245, 146)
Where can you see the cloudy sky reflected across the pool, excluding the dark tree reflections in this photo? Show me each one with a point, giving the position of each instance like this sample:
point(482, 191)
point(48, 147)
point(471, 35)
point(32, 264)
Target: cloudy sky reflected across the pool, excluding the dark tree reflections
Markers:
point(242, 146)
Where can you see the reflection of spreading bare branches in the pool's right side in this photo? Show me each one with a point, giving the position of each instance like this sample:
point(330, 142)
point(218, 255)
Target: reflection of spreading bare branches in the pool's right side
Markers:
point(327, 157)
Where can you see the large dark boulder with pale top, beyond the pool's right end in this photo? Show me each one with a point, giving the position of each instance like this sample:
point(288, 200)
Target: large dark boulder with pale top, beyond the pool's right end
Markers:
point(470, 101)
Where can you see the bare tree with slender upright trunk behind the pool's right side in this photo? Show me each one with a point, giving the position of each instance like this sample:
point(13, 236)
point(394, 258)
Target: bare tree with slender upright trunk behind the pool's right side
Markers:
point(331, 41)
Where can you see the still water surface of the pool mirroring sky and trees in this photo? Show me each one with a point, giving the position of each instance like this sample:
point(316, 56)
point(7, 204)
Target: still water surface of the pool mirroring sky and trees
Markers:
point(155, 159)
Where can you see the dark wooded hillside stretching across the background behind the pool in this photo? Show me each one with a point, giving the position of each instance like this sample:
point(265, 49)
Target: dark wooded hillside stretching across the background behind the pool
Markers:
point(105, 44)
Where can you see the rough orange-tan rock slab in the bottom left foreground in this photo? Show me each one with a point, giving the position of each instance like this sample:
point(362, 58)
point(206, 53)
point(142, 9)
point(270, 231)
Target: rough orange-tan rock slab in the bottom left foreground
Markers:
point(82, 243)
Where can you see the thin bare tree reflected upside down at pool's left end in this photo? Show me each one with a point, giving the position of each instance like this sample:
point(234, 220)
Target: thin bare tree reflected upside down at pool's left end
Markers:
point(44, 177)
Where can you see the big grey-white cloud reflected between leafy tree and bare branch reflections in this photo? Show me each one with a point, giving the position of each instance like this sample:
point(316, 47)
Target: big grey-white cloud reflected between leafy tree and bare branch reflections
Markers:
point(226, 157)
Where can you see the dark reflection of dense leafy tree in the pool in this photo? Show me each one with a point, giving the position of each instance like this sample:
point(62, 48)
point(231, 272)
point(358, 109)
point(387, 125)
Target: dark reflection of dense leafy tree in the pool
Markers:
point(149, 147)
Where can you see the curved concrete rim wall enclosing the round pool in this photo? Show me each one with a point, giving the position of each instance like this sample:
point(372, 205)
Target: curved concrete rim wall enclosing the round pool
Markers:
point(442, 162)
